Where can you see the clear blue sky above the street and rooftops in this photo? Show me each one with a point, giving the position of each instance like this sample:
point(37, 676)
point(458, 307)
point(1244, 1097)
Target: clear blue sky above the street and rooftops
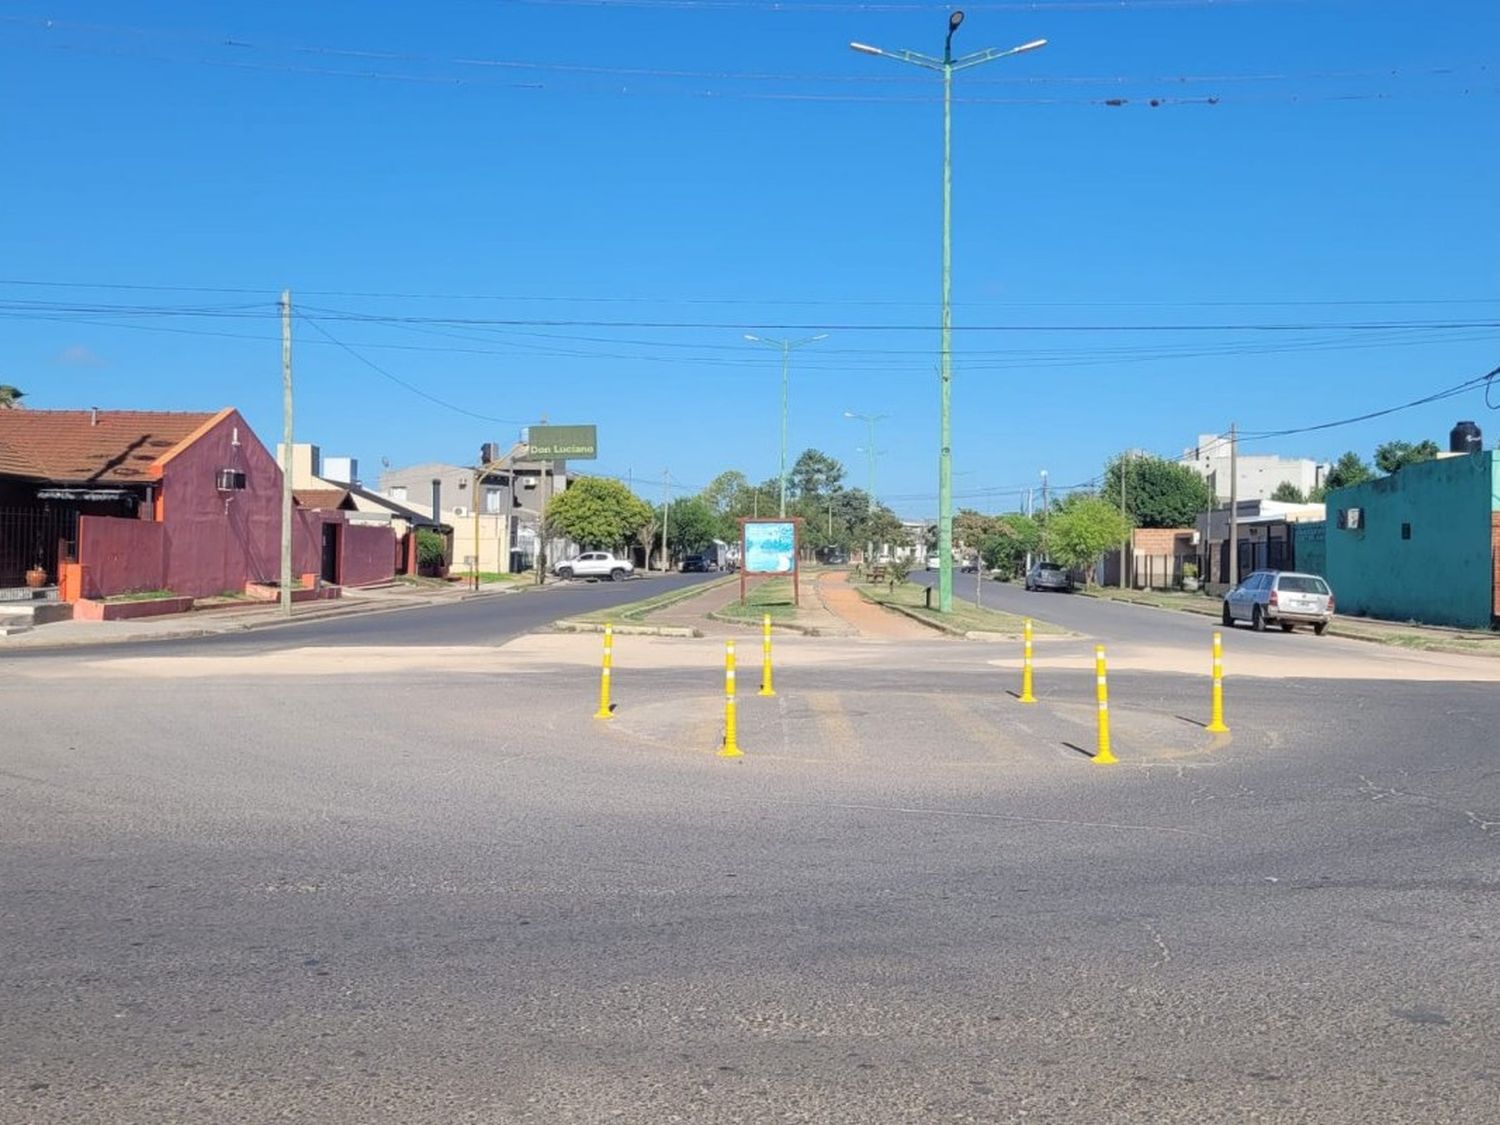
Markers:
point(577, 211)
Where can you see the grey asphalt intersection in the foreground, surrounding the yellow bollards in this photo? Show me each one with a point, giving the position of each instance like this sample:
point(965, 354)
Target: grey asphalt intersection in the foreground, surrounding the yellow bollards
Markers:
point(244, 889)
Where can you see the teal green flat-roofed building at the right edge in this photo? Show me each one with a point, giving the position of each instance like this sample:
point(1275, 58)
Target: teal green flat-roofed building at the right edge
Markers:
point(1418, 545)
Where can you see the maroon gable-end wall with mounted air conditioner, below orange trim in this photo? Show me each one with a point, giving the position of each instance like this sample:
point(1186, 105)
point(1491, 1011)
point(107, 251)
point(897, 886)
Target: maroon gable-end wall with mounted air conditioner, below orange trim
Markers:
point(217, 542)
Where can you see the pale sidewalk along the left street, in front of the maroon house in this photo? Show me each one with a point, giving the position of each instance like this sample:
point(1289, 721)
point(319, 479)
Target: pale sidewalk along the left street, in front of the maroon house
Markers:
point(241, 617)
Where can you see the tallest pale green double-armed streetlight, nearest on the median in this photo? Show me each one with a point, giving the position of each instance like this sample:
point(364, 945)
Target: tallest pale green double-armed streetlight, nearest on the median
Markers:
point(947, 67)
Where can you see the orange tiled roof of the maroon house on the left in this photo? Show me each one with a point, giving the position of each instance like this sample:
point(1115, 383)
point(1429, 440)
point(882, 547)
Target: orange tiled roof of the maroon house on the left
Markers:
point(79, 446)
